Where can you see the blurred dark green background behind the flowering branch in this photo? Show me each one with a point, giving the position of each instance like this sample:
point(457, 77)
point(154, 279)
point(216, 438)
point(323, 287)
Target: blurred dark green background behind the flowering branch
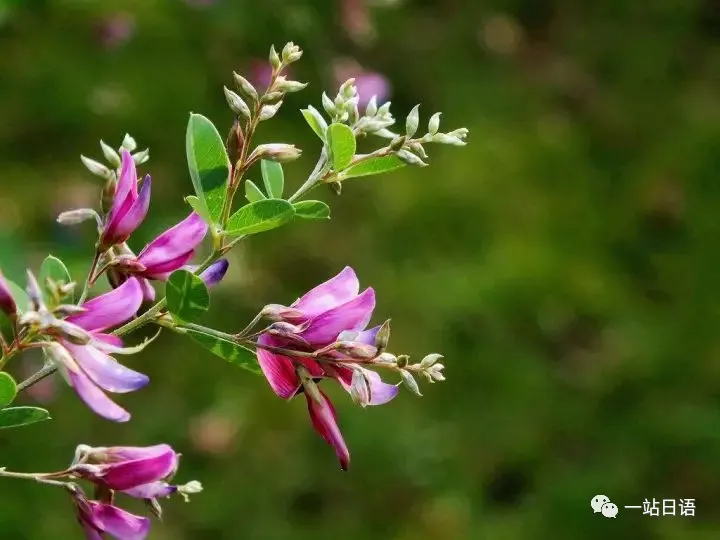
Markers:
point(565, 262)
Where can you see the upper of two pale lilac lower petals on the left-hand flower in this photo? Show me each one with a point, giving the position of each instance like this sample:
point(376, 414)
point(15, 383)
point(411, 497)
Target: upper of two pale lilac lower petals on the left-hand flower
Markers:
point(105, 371)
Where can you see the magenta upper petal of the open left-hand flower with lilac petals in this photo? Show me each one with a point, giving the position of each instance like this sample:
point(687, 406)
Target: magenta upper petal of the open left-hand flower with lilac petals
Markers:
point(110, 309)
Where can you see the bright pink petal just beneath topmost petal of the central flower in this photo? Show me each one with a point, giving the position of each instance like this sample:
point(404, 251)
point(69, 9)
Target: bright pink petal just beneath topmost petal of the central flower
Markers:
point(352, 315)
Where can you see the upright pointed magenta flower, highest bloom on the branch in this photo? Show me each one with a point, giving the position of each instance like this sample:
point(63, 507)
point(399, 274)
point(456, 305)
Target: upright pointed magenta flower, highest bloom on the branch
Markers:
point(129, 207)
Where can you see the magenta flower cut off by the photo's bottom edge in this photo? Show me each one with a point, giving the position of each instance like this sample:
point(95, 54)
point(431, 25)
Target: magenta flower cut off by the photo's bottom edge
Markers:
point(98, 519)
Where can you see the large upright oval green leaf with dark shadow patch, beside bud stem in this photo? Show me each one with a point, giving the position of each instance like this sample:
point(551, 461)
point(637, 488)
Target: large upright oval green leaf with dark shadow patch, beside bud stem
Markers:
point(208, 163)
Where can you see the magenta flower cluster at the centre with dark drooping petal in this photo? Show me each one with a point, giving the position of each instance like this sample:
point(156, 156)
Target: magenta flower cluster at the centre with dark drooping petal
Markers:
point(330, 312)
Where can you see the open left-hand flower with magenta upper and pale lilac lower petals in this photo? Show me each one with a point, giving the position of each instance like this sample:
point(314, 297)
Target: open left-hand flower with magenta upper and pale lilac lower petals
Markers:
point(89, 368)
